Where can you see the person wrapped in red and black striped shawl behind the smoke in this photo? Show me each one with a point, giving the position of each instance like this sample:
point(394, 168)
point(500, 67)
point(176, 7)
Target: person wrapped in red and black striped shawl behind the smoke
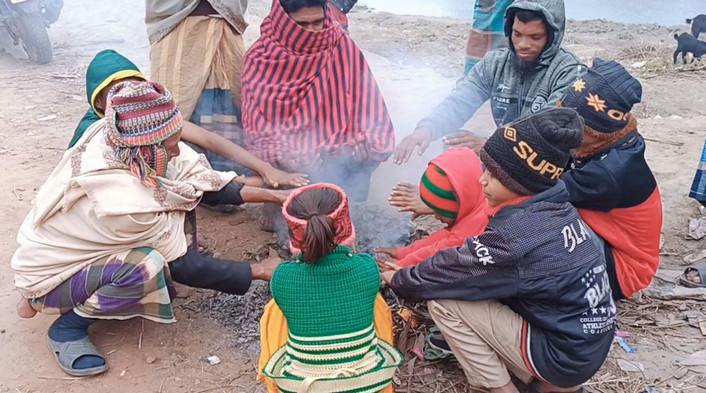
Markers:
point(310, 102)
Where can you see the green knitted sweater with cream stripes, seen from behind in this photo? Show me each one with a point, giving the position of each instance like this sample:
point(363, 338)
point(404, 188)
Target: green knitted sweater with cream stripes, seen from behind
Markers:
point(332, 345)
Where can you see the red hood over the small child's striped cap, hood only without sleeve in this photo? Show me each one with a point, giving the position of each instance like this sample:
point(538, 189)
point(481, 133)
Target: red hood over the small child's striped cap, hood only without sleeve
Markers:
point(464, 169)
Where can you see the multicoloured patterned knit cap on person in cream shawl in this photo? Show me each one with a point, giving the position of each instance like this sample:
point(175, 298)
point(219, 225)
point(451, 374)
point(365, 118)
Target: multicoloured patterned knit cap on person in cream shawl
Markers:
point(140, 116)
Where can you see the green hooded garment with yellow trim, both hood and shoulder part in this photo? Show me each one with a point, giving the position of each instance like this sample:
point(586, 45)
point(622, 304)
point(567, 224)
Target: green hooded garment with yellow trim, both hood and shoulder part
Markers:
point(106, 67)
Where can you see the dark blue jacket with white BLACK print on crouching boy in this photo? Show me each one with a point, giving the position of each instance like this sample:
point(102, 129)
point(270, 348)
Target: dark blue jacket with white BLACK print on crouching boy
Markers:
point(543, 261)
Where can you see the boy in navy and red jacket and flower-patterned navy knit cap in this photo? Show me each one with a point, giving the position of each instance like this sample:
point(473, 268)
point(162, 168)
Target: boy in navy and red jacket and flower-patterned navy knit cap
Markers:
point(610, 182)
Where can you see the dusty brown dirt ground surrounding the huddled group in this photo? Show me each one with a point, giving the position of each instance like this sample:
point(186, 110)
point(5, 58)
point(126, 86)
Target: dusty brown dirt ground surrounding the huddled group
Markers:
point(416, 61)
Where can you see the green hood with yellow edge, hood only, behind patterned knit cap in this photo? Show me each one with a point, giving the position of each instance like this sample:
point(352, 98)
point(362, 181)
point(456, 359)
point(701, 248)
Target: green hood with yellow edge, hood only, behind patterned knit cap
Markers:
point(106, 67)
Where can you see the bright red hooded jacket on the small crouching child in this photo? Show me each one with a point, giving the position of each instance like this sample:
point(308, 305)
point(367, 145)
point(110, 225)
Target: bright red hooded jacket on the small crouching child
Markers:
point(464, 169)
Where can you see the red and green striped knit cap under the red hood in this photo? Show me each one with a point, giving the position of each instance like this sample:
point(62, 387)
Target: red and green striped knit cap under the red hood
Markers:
point(437, 193)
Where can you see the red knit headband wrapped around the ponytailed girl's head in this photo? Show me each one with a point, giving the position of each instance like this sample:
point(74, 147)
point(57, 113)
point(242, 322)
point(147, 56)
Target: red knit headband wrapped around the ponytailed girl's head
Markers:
point(341, 217)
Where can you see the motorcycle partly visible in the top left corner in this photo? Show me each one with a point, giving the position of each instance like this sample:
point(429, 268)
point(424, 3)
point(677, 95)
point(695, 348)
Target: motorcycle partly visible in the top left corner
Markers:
point(27, 22)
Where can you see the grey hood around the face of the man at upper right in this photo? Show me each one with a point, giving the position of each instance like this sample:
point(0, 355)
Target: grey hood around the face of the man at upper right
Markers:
point(554, 15)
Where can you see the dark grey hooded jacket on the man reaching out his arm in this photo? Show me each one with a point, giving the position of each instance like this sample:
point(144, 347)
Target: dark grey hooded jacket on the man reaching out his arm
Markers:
point(514, 89)
